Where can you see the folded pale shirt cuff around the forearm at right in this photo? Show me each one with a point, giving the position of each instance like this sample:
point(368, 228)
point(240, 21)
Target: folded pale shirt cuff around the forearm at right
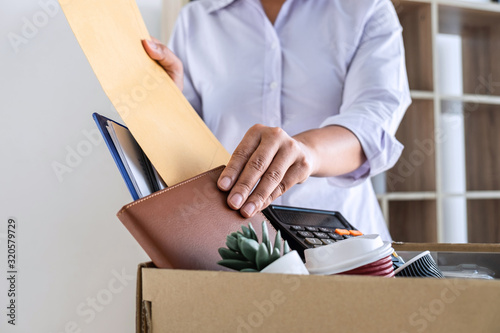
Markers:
point(381, 148)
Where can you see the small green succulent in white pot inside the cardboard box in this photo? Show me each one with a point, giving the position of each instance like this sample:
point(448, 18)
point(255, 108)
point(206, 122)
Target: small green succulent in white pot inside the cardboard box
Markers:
point(245, 253)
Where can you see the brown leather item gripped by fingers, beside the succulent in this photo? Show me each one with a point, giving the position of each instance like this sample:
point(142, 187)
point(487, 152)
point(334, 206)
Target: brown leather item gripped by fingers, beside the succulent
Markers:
point(183, 226)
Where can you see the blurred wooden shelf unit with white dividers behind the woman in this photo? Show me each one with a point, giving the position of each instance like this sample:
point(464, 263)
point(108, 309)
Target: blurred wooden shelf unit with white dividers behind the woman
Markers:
point(413, 198)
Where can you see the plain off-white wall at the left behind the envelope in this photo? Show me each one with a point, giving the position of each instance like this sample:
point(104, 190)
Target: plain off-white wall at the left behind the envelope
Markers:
point(70, 244)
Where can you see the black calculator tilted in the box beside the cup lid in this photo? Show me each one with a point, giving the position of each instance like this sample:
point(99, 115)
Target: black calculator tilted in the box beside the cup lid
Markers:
point(306, 228)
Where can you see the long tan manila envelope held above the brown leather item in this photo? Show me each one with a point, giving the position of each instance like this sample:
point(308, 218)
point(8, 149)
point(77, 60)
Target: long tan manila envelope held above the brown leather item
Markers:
point(168, 129)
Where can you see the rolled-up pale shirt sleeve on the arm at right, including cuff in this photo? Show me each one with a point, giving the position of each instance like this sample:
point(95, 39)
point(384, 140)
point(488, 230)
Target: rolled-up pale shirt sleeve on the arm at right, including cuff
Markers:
point(376, 95)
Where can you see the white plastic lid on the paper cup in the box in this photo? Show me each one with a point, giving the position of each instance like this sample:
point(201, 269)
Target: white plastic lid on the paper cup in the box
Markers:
point(347, 254)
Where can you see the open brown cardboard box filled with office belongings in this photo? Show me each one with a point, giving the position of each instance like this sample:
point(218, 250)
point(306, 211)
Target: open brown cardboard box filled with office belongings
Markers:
point(209, 301)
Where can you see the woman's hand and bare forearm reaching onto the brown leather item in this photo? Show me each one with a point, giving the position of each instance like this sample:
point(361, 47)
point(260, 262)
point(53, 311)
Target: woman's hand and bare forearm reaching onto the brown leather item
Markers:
point(268, 162)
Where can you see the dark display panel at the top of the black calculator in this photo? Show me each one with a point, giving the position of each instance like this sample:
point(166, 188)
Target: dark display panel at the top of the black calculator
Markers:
point(297, 217)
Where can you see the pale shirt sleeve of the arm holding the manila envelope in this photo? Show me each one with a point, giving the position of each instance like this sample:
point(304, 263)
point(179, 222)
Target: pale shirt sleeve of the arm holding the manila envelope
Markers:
point(179, 46)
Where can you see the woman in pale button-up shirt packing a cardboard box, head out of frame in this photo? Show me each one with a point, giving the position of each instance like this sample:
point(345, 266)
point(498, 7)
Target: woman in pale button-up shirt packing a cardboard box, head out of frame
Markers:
point(319, 87)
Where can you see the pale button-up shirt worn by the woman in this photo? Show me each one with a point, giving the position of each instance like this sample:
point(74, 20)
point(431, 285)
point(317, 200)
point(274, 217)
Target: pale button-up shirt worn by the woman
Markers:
point(323, 62)
